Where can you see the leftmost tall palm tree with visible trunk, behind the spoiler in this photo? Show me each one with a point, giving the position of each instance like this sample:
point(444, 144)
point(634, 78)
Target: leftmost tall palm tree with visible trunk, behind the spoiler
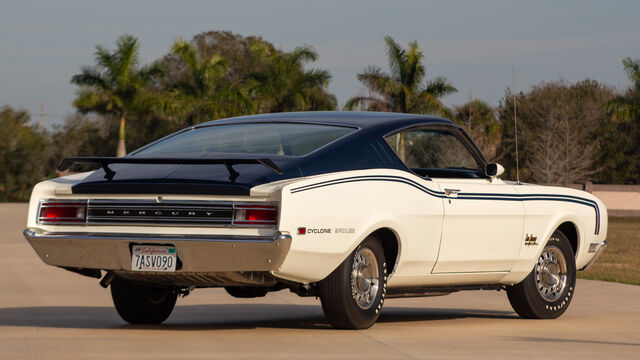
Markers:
point(116, 85)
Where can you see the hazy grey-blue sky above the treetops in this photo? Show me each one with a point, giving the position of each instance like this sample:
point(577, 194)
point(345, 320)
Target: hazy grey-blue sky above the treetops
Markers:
point(474, 44)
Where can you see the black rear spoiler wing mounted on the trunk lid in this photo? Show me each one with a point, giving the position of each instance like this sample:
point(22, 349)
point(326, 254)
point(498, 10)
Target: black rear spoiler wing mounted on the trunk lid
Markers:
point(104, 162)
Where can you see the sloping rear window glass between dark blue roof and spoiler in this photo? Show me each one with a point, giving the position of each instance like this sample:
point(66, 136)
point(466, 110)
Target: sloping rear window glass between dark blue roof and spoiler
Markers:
point(271, 138)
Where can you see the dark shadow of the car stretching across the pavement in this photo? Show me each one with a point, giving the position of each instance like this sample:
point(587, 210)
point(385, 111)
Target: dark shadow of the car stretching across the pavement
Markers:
point(220, 317)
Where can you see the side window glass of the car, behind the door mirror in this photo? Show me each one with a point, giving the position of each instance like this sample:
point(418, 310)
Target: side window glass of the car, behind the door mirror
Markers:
point(434, 153)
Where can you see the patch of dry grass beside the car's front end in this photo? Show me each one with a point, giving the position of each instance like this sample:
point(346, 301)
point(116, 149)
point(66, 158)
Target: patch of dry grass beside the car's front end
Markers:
point(620, 261)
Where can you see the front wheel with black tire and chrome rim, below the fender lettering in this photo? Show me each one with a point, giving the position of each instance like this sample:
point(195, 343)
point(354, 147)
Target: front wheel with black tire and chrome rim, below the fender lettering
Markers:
point(541, 294)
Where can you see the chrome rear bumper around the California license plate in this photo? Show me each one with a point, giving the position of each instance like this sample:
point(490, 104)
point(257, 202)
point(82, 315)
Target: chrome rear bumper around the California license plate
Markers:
point(197, 254)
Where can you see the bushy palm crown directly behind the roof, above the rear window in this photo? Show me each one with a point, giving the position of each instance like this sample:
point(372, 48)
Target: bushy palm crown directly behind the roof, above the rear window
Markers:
point(284, 85)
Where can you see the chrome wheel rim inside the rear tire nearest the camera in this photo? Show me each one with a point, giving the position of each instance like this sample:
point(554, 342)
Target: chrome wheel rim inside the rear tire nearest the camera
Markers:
point(365, 275)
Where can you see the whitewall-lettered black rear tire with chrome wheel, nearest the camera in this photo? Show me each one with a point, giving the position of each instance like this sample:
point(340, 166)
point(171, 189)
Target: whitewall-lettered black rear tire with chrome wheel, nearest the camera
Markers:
point(347, 300)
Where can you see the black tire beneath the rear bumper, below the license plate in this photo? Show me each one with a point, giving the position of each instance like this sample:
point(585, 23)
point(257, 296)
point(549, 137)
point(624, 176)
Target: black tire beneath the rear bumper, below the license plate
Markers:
point(140, 304)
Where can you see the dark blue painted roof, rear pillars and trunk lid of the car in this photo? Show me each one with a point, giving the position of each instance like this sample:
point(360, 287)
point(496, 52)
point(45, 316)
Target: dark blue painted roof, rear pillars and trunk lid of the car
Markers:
point(361, 149)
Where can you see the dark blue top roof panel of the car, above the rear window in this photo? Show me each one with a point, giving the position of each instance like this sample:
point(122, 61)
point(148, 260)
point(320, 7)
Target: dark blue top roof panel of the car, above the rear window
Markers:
point(361, 119)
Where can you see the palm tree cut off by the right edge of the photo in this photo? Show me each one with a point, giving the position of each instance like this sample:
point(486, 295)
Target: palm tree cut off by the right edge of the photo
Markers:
point(627, 106)
